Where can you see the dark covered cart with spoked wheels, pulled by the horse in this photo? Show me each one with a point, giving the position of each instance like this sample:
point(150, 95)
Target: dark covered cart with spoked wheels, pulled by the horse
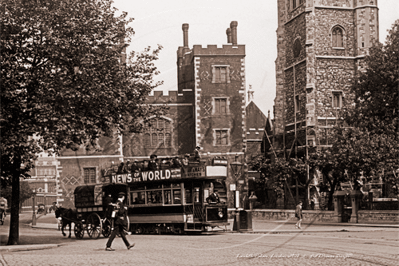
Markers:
point(92, 210)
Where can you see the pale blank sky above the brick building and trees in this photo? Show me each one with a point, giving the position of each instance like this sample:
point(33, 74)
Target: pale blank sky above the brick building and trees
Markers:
point(160, 22)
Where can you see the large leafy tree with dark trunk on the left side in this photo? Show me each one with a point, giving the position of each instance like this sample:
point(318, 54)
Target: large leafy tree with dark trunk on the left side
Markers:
point(65, 82)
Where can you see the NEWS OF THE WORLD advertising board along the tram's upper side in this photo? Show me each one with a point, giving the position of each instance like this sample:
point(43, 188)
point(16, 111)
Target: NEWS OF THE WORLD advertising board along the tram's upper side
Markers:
point(158, 175)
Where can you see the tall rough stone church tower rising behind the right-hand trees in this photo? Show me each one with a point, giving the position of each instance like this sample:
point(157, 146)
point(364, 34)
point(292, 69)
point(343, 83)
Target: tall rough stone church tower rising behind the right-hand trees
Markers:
point(321, 45)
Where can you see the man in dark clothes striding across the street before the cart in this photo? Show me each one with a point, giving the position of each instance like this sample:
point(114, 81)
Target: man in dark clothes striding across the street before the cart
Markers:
point(119, 223)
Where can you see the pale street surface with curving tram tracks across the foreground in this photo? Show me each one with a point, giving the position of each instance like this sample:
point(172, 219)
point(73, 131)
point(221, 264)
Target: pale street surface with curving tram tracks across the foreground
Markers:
point(354, 246)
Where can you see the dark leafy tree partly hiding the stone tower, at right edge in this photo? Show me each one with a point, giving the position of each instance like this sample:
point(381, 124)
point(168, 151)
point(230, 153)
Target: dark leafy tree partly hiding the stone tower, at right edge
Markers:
point(368, 140)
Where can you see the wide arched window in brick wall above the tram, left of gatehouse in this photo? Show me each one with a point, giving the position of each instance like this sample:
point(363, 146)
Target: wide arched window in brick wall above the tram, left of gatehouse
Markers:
point(158, 133)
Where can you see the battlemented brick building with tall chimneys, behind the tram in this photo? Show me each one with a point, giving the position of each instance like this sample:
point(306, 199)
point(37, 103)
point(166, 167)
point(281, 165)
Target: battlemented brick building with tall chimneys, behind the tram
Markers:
point(207, 110)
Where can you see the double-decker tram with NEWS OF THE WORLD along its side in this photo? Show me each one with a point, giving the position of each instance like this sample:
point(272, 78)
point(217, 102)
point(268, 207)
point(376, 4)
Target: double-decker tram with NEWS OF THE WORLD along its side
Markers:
point(175, 199)
